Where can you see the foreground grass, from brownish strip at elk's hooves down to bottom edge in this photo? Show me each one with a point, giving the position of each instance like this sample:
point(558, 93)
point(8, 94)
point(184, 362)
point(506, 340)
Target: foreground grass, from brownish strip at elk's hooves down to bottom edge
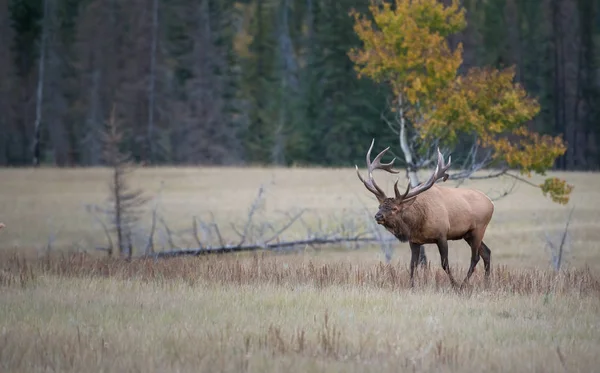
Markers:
point(267, 313)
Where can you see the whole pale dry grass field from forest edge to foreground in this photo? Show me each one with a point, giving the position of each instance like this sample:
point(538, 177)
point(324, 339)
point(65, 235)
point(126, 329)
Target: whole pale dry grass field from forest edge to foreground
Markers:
point(329, 310)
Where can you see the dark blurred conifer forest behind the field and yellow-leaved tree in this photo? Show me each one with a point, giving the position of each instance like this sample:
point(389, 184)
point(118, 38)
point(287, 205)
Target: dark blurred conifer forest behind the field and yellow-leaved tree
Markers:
point(259, 81)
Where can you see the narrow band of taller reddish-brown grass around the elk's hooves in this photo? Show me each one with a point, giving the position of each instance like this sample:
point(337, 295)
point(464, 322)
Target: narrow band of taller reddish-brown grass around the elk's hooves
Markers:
point(292, 270)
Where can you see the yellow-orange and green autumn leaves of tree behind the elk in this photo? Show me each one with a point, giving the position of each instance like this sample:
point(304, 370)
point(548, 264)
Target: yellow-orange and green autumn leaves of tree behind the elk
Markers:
point(405, 46)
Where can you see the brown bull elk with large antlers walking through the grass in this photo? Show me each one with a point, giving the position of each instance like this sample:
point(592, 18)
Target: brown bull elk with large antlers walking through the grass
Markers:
point(432, 214)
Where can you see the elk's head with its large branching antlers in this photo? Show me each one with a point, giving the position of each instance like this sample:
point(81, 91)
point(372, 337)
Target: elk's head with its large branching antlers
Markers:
point(390, 207)
